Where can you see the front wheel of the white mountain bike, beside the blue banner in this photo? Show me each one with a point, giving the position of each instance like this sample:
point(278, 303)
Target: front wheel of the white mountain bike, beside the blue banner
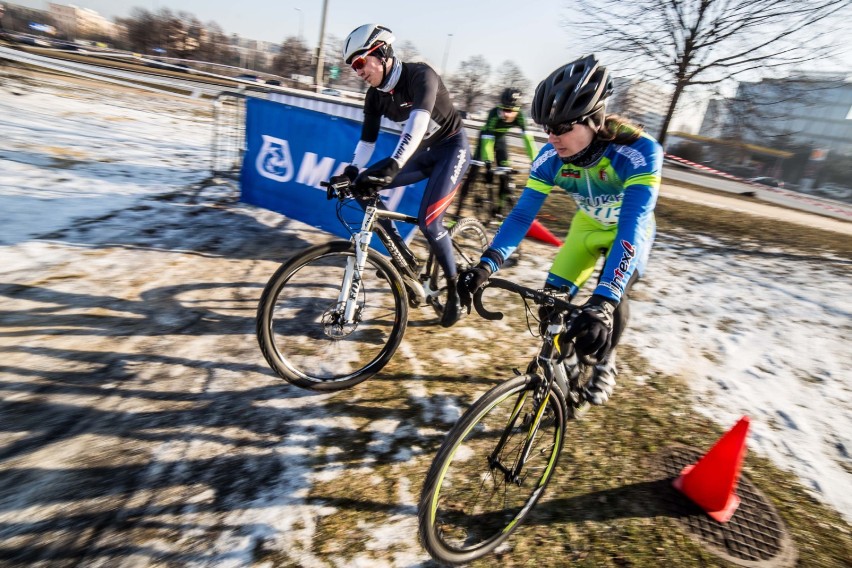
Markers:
point(300, 325)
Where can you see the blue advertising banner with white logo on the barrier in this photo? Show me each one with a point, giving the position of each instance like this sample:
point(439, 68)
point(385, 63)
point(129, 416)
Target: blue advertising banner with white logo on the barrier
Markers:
point(291, 150)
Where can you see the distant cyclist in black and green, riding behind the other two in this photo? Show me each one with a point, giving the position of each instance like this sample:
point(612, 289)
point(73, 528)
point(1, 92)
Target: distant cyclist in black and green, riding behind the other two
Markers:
point(492, 143)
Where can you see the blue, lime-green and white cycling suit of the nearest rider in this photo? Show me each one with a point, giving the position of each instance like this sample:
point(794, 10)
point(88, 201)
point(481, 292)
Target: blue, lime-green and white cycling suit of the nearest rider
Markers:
point(615, 199)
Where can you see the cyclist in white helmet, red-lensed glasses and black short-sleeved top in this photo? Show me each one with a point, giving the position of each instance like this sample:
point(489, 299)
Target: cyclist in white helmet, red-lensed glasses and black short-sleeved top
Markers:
point(432, 144)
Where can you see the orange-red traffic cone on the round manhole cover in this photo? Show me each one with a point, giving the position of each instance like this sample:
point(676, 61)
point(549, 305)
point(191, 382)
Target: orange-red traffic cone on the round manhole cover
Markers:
point(711, 481)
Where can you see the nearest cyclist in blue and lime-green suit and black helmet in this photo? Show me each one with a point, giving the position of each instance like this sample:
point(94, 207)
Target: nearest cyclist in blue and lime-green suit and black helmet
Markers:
point(612, 169)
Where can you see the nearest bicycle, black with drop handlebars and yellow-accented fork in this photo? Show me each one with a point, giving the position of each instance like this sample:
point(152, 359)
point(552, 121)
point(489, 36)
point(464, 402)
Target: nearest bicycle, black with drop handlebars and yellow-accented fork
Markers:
point(508, 441)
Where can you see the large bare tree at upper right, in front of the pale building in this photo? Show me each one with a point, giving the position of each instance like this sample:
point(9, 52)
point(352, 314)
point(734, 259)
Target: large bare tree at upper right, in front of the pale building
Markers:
point(703, 42)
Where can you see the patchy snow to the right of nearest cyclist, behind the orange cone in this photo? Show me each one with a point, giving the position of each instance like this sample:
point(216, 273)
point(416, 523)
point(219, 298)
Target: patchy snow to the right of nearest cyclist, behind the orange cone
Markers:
point(760, 333)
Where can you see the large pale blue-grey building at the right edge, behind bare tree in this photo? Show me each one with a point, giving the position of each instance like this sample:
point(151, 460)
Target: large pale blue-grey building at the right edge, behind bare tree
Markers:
point(813, 109)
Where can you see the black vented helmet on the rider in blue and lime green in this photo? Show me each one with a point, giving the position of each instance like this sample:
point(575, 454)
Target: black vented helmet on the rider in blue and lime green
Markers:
point(572, 92)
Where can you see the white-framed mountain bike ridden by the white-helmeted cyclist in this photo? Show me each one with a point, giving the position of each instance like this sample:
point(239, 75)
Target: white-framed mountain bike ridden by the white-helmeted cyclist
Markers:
point(333, 315)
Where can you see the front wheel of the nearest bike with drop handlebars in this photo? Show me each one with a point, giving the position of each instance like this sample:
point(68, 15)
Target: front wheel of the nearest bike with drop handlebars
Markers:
point(486, 478)
